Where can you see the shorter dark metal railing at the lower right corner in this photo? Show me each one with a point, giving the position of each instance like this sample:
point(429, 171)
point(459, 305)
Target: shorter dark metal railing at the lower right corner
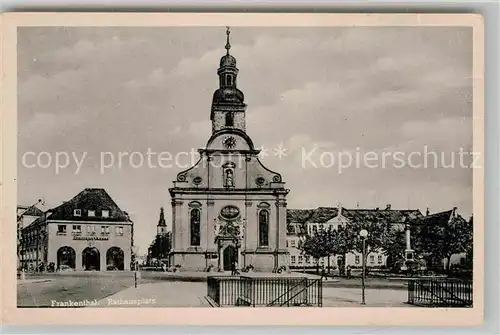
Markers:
point(440, 292)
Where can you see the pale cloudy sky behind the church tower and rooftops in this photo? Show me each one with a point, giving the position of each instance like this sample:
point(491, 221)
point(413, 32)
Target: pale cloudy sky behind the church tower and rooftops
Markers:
point(319, 93)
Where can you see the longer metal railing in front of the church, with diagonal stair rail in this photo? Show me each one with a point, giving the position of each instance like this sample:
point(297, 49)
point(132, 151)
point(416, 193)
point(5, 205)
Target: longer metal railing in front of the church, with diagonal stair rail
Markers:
point(263, 291)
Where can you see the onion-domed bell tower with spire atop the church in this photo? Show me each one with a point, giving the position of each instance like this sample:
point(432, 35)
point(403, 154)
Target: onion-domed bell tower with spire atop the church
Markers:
point(228, 107)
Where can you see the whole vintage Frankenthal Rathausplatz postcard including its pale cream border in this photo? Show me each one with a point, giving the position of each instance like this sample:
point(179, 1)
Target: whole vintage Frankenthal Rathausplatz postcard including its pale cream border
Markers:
point(253, 169)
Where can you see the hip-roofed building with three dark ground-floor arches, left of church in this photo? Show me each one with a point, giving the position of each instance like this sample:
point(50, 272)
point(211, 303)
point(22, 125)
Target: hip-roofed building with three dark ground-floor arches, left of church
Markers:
point(88, 232)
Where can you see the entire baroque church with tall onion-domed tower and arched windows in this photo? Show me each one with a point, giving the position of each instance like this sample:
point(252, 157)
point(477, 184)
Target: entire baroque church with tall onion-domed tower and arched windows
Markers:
point(229, 208)
